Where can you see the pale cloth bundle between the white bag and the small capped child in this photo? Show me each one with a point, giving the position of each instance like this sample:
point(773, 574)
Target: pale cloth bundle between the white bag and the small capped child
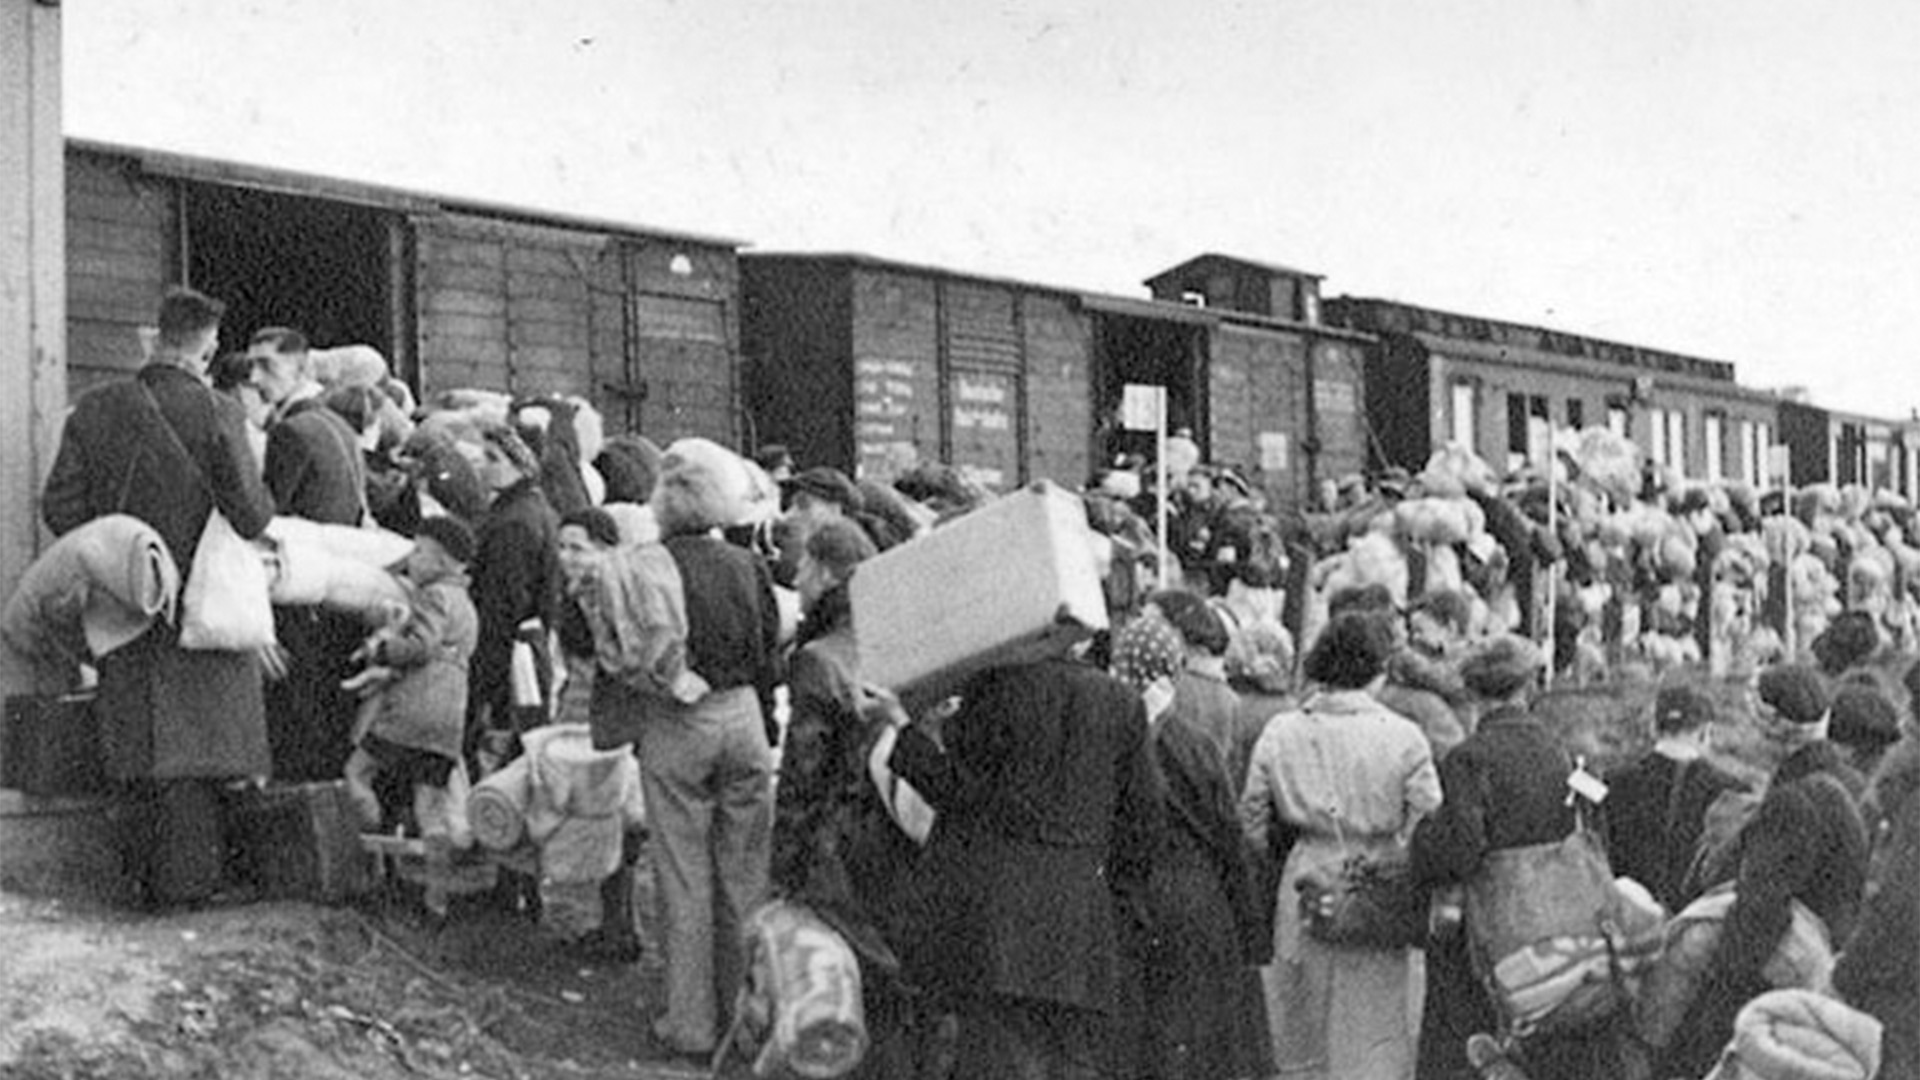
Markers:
point(337, 566)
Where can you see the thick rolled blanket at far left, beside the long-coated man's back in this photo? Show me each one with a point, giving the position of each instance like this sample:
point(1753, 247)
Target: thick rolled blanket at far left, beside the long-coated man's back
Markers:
point(95, 591)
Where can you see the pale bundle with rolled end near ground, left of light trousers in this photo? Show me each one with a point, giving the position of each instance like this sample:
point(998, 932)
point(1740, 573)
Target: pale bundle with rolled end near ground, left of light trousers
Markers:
point(564, 797)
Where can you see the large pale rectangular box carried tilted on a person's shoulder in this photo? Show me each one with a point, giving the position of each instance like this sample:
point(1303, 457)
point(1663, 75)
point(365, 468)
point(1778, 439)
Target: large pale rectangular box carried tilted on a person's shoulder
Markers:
point(1009, 583)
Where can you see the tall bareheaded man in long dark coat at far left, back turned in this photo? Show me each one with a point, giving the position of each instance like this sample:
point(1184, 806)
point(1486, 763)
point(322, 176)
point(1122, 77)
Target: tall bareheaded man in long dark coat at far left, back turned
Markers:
point(176, 724)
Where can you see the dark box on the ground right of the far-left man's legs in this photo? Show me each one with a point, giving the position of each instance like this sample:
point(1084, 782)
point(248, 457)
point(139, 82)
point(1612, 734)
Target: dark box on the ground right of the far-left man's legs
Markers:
point(302, 843)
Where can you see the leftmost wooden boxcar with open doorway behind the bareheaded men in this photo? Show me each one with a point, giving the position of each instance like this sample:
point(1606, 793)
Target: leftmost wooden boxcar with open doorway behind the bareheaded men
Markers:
point(642, 322)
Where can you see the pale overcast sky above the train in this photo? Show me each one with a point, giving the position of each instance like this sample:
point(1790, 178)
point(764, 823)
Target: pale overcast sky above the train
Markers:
point(1735, 180)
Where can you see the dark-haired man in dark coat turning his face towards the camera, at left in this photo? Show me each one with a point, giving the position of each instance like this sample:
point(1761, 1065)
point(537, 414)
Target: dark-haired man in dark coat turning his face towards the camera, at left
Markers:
point(314, 470)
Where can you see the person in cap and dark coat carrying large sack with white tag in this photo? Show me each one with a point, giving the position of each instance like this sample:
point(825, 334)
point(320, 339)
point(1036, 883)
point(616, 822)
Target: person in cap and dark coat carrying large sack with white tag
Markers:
point(1506, 787)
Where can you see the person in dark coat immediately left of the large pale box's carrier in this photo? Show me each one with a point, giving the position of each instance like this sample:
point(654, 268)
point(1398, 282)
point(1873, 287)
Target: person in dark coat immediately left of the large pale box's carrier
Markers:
point(834, 845)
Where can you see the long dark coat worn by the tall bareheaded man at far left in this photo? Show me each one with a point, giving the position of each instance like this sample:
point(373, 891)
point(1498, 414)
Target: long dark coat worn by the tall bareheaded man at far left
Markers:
point(168, 712)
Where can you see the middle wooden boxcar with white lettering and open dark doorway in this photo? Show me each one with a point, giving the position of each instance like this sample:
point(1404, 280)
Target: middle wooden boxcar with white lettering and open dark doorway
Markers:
point(875, 366)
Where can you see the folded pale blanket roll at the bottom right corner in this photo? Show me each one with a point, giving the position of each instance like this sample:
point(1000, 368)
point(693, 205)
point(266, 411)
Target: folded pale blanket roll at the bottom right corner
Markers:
point(1798, 1035)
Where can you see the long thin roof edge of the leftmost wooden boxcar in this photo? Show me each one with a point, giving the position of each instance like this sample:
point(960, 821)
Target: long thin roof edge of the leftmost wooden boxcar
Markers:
point(360, 193)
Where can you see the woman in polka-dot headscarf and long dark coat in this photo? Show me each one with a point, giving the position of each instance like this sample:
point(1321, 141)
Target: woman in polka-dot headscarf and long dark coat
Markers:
point(1203, 1004)
